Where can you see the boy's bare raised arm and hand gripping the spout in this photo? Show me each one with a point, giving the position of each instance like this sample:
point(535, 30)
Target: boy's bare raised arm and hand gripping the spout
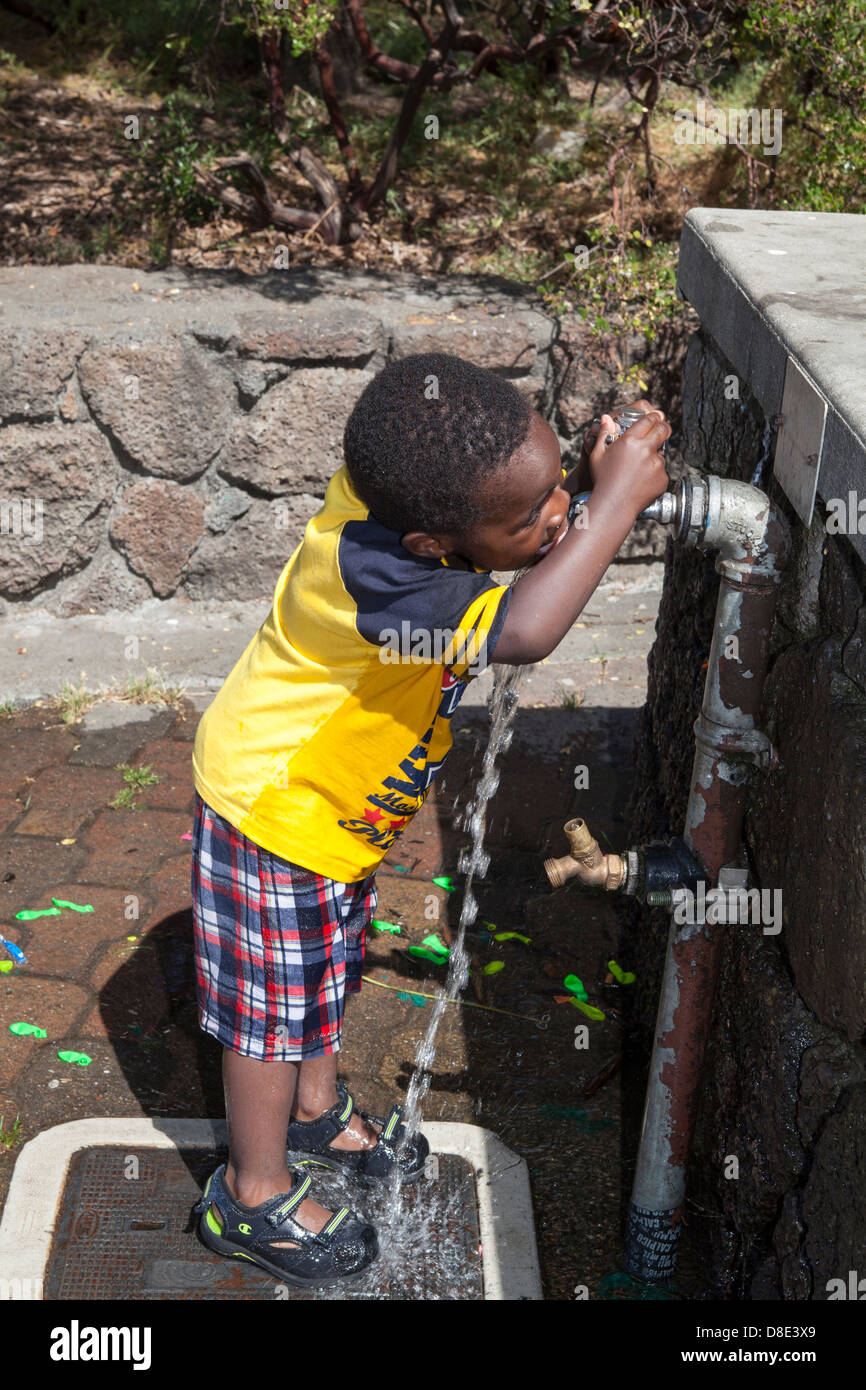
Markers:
point(629, 475)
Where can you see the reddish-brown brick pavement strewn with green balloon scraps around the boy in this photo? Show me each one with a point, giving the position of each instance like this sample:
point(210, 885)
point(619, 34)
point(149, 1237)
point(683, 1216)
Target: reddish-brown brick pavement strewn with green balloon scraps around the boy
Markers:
point(117, 985)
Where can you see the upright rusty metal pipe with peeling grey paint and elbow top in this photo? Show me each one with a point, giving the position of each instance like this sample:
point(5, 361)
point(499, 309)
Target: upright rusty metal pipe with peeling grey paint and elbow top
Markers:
point(753, 541)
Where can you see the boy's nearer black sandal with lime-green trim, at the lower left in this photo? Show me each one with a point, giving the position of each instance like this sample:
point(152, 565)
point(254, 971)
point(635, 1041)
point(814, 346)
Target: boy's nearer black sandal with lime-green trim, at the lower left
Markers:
point(343, 1249)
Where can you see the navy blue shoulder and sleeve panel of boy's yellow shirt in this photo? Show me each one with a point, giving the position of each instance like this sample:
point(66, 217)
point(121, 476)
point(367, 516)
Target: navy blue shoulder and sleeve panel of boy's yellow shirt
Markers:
point(390, 586)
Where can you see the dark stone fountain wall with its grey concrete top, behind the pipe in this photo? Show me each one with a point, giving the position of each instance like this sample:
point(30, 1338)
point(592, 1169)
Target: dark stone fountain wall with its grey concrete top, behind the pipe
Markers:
point(786, 1078)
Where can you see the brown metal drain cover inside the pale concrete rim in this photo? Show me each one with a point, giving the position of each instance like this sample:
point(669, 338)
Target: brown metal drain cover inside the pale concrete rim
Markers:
point(124, 1232)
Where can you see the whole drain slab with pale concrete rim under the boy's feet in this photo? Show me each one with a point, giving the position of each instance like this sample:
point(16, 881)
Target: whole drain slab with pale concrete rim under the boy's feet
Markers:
point(101, 1210)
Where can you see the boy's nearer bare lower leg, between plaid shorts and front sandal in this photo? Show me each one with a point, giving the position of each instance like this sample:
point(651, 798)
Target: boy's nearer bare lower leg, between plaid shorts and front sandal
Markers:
point(258, 1109)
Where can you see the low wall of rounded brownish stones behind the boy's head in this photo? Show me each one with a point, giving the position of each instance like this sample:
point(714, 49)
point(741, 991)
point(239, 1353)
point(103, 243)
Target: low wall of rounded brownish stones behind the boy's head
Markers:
point(179, 430)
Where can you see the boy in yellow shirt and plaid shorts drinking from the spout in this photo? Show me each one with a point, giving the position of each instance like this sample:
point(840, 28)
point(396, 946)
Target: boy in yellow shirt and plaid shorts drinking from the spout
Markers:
point(325, 742)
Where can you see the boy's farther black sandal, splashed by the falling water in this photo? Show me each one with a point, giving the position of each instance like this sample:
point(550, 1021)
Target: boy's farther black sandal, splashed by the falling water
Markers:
point(309, 1145)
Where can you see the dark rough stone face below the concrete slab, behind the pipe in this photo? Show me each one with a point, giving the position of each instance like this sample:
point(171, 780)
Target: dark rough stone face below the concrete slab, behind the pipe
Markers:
point(785, 1085)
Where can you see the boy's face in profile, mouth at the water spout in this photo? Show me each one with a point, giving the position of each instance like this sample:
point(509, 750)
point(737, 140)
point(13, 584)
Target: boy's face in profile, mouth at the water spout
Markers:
point(525, 508)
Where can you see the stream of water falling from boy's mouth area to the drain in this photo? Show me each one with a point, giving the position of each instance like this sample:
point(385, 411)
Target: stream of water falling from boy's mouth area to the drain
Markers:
point(475, 864)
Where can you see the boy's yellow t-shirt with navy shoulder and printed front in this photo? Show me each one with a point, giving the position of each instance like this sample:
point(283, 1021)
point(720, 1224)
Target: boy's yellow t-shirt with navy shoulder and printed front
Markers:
point(327, 735)
